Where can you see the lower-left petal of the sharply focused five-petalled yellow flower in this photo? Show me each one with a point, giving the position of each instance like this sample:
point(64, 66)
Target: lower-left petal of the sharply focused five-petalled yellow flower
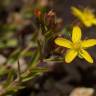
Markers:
point(70, 55)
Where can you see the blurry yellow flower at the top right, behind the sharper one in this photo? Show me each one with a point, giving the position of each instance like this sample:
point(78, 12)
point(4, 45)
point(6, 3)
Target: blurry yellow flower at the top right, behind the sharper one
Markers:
point(86, 16)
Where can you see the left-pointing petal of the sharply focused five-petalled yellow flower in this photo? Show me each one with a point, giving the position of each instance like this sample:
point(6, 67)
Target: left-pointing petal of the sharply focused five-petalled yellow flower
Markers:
point(63, 42)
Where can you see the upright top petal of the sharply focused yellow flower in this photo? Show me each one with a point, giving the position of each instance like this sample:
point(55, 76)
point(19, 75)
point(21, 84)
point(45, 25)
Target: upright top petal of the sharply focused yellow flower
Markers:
point(76, 34)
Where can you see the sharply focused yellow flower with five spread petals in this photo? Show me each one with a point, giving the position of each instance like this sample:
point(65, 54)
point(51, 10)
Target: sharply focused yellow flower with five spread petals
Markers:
point(76, 46)
